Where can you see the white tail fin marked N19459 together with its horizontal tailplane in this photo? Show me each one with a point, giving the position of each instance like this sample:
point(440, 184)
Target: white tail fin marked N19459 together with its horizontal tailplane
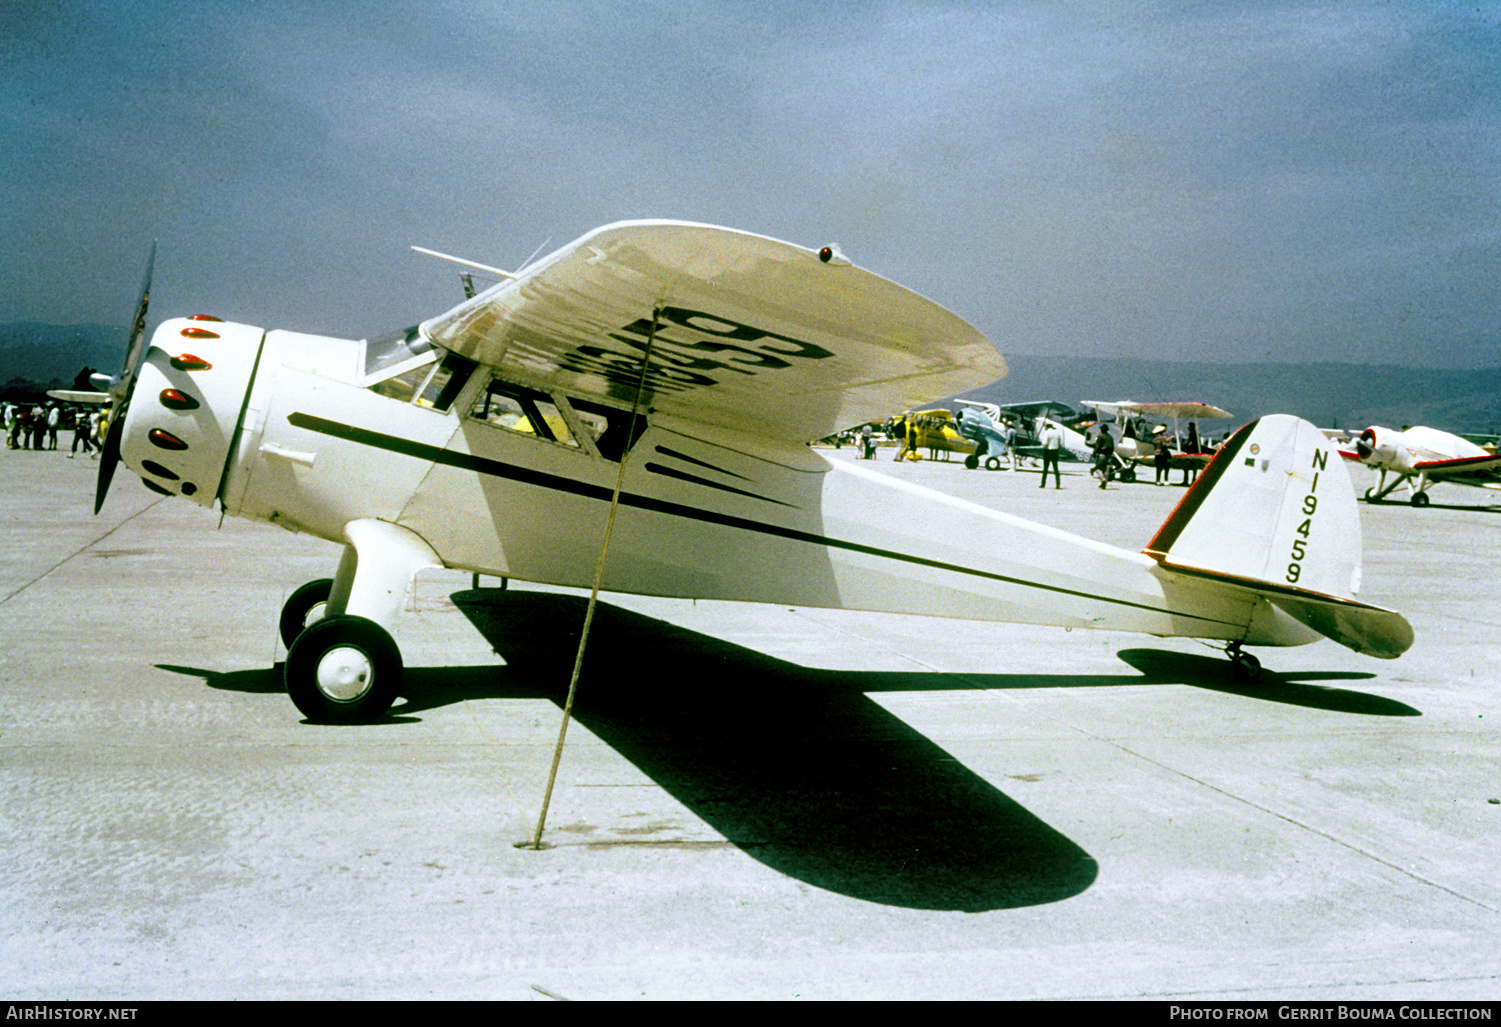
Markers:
point(1275, 513)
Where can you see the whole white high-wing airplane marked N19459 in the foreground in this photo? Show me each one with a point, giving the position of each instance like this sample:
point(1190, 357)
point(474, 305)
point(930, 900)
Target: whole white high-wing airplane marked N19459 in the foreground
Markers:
point(687, 367)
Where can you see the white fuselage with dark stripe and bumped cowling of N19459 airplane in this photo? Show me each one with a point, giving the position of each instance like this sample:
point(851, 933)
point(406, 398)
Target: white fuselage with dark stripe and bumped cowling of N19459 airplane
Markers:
point(514, 480)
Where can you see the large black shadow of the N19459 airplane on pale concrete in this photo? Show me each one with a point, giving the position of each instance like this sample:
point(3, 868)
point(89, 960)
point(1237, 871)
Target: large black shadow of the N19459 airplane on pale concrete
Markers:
point(798, 766)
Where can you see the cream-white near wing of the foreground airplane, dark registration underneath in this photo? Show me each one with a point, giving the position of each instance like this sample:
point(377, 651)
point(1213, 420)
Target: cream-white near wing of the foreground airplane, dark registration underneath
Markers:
point(751, 333)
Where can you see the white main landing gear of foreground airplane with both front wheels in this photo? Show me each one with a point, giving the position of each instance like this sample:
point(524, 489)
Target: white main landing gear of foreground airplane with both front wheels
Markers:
point(346, 669)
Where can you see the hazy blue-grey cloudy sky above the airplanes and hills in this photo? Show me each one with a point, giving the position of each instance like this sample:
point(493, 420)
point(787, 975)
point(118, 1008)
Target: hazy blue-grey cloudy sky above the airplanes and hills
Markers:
point(1227, 182)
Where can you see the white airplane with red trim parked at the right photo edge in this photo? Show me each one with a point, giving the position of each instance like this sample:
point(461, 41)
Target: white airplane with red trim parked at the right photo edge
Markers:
point(1422, 459)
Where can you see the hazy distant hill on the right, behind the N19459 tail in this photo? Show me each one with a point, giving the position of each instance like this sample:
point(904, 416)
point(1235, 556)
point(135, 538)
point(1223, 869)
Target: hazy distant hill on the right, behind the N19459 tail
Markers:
point(1332, 396)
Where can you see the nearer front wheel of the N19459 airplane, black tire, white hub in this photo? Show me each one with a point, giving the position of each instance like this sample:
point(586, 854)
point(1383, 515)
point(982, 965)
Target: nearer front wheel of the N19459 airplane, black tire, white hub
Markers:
point(343, 670)
